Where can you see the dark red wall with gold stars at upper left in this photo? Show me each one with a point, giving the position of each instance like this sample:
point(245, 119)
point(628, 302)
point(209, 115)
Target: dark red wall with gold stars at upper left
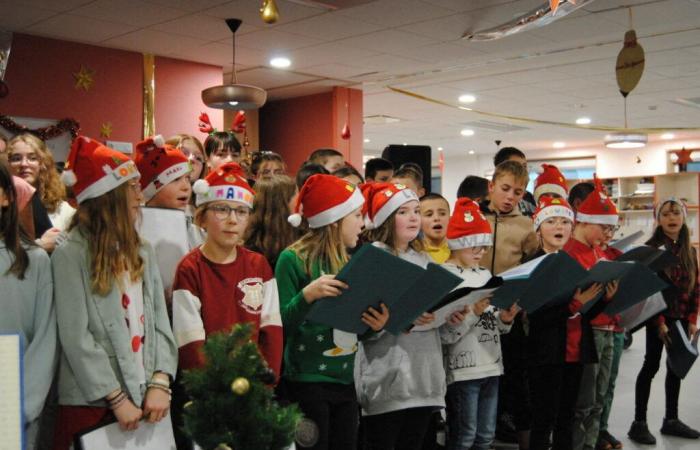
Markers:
point(40, 77)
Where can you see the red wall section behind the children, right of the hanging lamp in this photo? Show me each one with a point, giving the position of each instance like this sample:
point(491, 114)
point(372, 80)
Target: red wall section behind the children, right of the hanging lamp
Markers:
point(296, 127)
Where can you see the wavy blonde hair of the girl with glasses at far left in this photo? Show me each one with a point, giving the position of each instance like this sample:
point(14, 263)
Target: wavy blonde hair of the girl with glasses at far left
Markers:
point(48, 183)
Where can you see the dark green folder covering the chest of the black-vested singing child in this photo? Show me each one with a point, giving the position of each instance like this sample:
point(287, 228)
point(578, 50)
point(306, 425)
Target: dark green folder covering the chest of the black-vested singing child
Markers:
point(553, 280)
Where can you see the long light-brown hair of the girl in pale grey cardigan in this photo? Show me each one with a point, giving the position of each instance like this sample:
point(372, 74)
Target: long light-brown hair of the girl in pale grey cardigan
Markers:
point(113, 242)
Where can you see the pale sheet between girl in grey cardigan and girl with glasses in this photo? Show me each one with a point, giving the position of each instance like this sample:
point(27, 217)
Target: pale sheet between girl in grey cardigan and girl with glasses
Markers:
point(166, 231)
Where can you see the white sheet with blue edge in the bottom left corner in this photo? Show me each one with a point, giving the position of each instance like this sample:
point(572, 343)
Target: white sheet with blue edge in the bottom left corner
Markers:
point(11, 427)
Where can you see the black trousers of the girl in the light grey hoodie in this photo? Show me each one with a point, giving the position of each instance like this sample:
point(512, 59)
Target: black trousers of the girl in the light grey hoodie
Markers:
point(397, 430)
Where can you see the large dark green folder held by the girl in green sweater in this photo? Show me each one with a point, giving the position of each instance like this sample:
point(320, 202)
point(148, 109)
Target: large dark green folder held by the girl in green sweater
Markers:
point(376, 276)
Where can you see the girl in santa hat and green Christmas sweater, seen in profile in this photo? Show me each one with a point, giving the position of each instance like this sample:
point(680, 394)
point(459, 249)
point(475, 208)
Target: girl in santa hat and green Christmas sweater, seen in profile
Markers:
point(319, 361)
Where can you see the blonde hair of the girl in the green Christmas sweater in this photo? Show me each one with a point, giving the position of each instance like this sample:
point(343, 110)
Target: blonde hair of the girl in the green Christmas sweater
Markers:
point(324, 246)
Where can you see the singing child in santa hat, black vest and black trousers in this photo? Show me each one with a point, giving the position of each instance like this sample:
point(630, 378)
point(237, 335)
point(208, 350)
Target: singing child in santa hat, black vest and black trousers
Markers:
point(554, 378)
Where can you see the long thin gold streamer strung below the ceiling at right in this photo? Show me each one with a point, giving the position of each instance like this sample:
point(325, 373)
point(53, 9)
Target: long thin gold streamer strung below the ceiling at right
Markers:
point(529, 120)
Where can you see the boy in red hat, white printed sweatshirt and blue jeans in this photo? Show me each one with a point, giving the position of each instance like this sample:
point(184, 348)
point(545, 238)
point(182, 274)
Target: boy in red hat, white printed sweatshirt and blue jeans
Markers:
point(471, 337)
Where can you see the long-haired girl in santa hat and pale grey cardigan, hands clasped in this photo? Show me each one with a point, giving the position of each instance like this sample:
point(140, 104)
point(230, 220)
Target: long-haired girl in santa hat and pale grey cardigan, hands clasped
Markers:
point(119, 353)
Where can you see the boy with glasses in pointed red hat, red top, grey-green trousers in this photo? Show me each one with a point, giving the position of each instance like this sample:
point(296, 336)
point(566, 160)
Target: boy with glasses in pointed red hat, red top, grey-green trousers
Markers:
point(596, 217)
